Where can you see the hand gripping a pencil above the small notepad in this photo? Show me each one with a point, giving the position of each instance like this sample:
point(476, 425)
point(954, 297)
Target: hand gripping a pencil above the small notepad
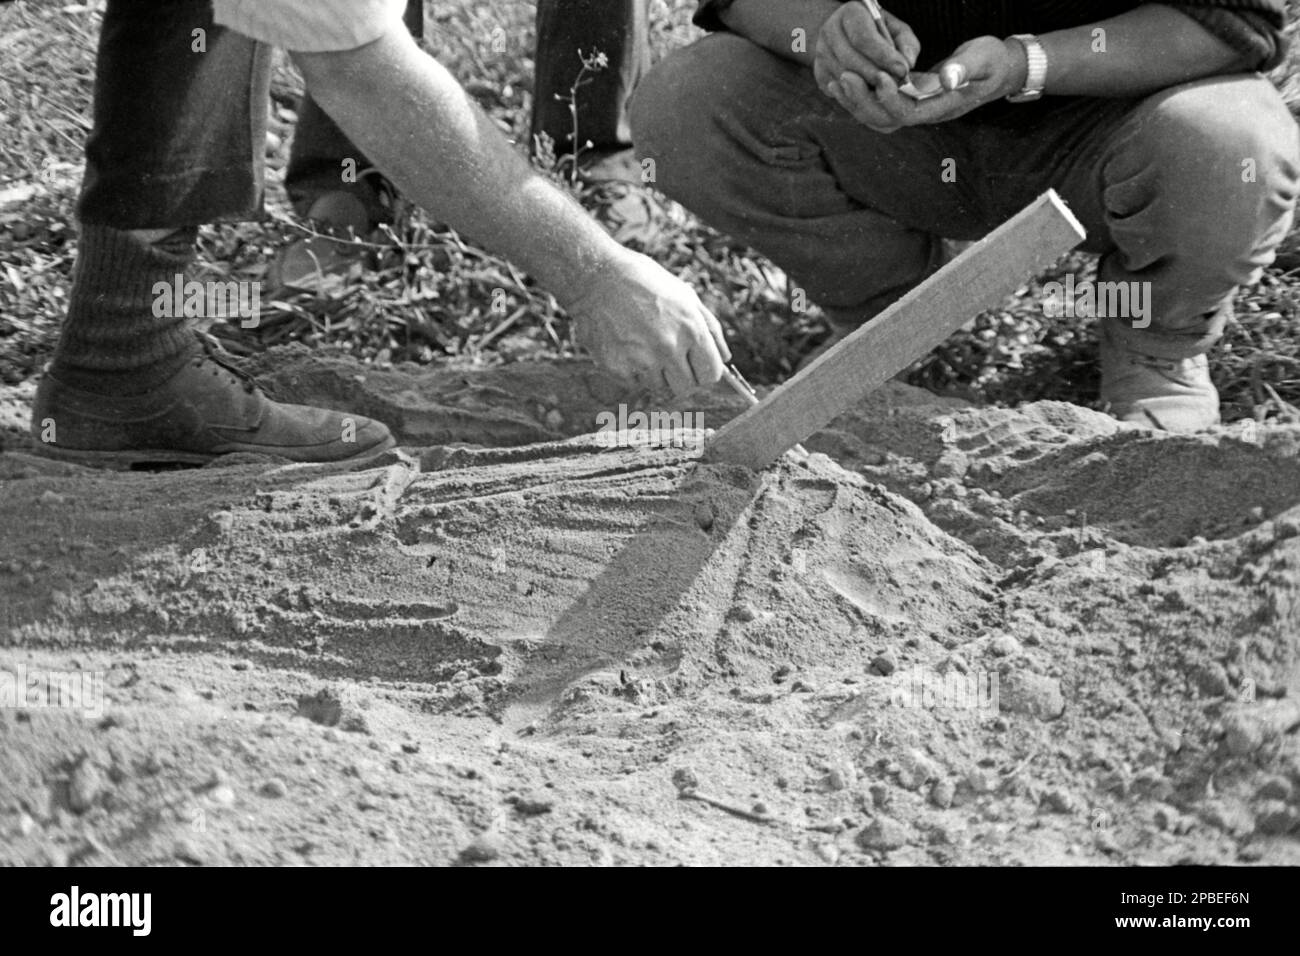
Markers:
point(855, 57)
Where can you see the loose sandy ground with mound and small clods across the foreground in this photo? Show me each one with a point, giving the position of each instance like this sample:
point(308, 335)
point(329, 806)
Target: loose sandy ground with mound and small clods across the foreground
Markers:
point(950, 637)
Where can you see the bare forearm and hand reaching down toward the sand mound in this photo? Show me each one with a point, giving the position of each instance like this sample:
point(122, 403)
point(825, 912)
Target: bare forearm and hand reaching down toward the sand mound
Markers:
point(443, 152)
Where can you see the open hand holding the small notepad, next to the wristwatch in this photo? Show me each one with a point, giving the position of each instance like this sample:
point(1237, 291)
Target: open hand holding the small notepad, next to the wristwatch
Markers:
point(980, 72)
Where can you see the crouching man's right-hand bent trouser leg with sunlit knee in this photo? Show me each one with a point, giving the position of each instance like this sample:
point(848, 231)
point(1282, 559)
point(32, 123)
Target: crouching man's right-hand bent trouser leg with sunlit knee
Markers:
point(1193, 192)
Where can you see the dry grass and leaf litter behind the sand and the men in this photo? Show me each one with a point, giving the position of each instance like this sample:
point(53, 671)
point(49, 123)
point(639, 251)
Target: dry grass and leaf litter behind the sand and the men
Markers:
point(427, 296)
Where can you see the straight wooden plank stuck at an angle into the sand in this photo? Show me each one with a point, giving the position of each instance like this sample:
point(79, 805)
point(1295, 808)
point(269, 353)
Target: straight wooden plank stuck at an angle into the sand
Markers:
point(980, 279)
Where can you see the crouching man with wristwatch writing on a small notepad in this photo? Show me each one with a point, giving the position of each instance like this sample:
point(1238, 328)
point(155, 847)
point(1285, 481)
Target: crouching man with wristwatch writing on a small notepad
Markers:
point(788, 128)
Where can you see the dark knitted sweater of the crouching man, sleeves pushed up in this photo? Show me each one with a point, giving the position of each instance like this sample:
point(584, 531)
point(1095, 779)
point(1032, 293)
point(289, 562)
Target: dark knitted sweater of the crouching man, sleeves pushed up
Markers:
point(1251, 27)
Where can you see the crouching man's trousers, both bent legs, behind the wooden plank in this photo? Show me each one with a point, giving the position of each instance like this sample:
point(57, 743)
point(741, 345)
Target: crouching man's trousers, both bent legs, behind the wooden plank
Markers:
point(748, 141)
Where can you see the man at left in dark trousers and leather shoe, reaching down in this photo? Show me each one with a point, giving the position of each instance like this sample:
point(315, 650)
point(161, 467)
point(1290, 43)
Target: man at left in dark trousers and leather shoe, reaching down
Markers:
point(177, 141)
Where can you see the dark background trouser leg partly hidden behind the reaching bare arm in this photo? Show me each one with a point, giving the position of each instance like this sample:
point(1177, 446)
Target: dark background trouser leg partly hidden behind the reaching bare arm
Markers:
point(319, 146)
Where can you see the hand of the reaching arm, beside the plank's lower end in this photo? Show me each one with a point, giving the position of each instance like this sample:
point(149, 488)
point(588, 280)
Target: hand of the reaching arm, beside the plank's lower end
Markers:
point(649, 327)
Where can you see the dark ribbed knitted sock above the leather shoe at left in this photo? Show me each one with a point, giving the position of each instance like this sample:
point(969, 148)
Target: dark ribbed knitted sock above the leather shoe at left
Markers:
point(112, 343)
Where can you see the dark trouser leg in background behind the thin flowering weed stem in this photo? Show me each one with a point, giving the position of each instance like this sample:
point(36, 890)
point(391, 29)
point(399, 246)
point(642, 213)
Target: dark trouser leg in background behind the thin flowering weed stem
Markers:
point(617, 28)
